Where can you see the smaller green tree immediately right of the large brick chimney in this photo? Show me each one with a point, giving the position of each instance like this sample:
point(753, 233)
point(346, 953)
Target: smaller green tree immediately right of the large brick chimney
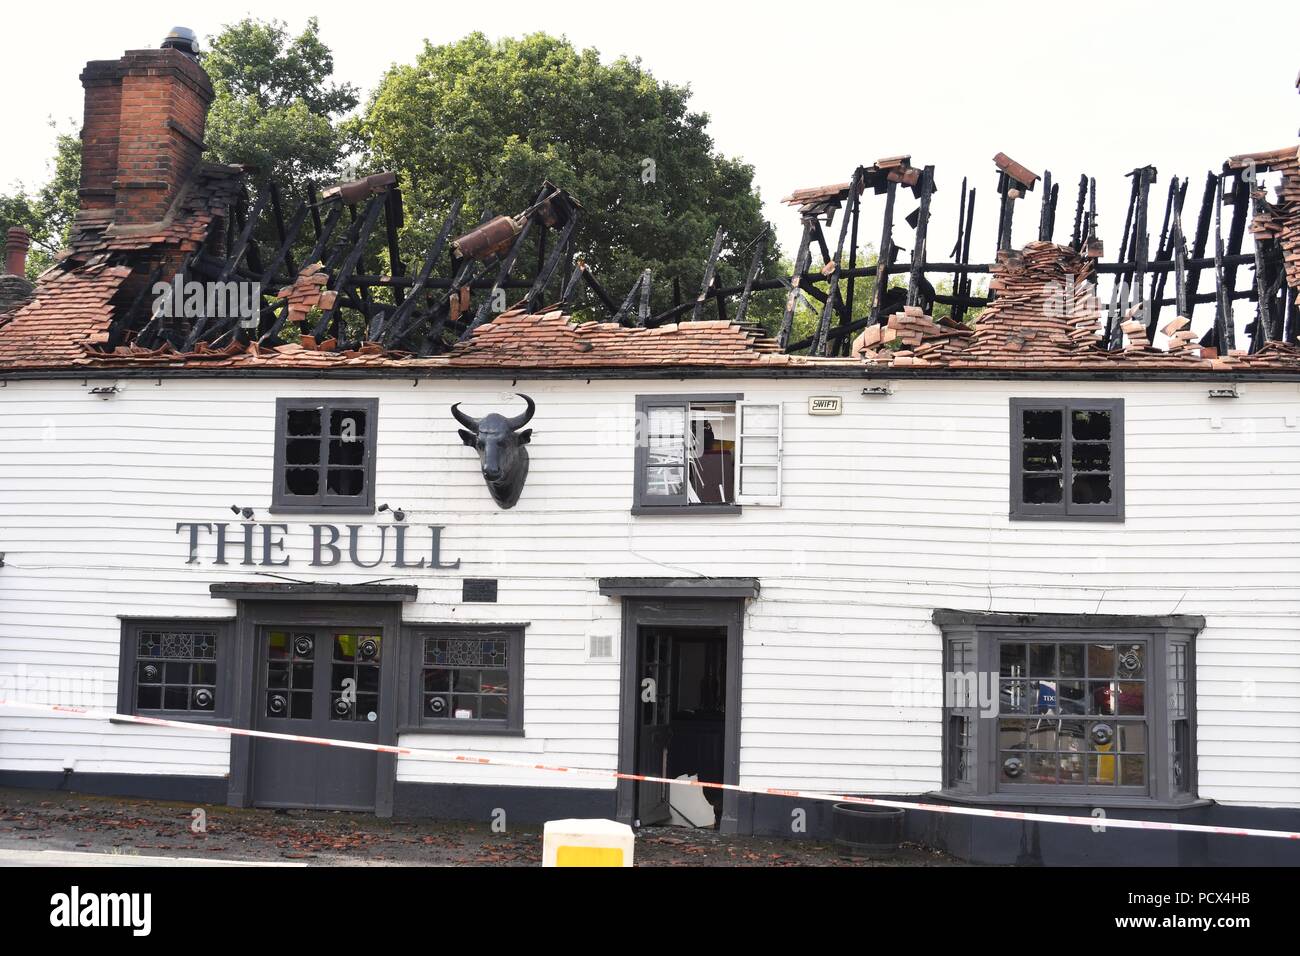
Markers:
point(276, 107)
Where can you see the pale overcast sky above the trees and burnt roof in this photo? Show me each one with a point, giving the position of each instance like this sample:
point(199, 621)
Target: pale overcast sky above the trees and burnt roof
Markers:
point(807, 92)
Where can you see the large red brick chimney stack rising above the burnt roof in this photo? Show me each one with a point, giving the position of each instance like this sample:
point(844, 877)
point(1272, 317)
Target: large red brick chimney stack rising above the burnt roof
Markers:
point(144, 132)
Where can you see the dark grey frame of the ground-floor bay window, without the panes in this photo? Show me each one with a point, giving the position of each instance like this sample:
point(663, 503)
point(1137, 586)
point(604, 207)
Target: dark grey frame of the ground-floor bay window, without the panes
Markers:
point(1162, 635)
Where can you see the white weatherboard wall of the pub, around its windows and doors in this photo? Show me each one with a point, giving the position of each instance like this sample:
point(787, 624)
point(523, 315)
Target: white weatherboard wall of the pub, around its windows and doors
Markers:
point(894, 509)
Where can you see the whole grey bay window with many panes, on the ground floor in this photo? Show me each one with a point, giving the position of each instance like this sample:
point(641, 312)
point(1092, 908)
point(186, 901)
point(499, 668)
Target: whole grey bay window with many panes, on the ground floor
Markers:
point(1048, 708)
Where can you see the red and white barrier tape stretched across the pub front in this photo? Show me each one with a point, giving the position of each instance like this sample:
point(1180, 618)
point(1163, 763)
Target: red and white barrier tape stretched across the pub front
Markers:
point(421, 754)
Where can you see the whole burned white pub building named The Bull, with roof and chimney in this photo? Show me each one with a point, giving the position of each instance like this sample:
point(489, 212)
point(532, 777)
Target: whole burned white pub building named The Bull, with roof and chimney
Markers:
point(1012, 534)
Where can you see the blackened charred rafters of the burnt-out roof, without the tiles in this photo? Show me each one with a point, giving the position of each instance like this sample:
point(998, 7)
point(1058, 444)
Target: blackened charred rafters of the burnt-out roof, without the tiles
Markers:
point(332, 300)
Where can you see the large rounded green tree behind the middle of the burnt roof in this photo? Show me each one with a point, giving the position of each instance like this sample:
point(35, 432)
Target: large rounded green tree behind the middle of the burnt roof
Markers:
point(489, 122)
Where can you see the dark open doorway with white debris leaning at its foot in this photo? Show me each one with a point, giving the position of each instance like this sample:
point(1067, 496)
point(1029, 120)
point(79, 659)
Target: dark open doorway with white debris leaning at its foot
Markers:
point(682, 721)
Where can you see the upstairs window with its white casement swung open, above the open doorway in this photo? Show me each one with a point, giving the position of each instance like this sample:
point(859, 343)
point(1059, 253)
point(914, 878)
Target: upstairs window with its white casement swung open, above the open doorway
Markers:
point(707, 455)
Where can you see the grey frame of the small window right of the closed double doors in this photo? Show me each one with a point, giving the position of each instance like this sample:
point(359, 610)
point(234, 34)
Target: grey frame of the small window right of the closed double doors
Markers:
point(411, 717)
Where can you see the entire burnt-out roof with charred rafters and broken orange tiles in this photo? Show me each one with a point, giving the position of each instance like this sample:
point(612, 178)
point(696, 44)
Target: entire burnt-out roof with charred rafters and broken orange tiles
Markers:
point(335, 280)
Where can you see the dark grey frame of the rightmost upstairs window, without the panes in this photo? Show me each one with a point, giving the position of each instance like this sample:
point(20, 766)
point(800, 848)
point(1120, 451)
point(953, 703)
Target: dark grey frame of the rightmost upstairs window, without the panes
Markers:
point(1068, 511)
